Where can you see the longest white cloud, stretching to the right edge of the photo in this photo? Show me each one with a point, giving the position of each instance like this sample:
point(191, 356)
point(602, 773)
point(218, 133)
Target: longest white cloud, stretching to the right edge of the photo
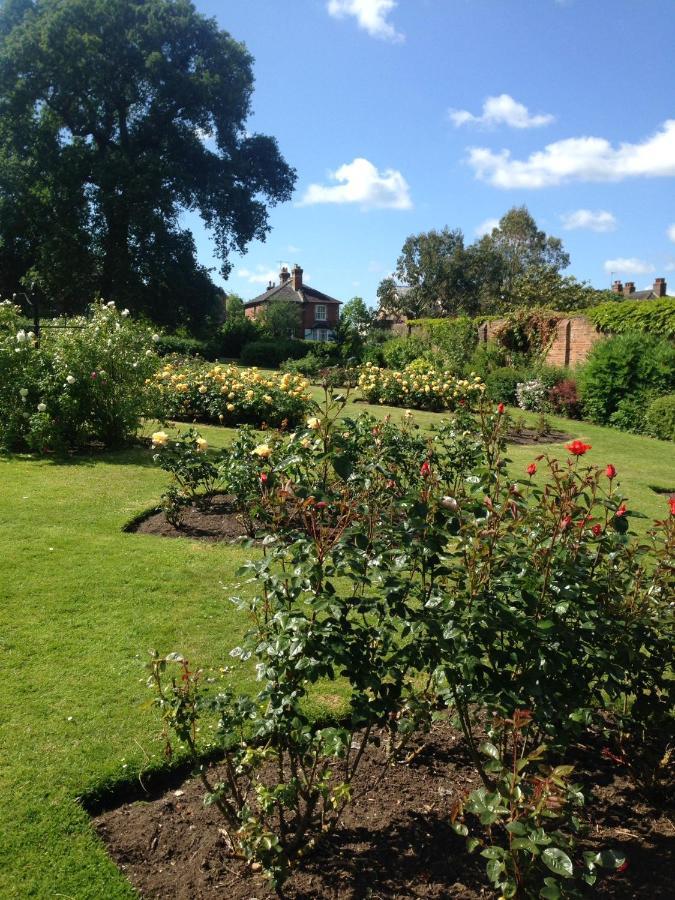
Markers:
point(579, 159)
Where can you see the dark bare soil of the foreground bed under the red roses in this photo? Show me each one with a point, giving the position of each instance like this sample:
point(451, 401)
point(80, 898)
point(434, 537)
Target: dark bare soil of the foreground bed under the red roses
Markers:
point(396, 842)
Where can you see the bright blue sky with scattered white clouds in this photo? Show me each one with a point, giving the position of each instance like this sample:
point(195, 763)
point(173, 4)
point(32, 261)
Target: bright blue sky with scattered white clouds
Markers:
point(402, 117)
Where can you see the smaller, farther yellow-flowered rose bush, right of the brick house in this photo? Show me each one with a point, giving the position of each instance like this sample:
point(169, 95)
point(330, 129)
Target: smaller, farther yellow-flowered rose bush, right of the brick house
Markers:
point(418, 386)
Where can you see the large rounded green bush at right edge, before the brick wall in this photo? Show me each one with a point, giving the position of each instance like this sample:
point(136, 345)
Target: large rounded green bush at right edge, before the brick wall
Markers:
point(622, 367)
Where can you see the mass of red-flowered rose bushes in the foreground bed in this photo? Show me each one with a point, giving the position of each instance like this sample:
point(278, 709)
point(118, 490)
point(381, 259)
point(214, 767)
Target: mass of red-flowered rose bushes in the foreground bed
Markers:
point(410, 568)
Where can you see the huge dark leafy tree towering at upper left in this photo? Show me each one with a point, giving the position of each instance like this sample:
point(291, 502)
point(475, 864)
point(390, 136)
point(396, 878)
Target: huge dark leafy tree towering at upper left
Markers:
point(117, 117)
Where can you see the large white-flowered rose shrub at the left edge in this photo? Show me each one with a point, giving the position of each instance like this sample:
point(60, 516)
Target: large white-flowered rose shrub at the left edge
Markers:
point(87, 382)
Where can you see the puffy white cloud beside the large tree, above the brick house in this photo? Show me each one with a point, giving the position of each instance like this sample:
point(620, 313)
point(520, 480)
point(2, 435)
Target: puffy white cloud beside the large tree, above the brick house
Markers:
point(360, 182)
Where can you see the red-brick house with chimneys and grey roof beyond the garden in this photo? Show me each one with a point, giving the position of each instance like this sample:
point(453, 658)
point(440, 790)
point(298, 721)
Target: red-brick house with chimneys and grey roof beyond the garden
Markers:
point(320, 313)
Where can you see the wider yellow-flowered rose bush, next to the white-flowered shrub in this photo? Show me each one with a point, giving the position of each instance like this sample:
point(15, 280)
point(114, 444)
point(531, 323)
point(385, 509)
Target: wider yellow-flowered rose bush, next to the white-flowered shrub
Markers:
point(230, 395)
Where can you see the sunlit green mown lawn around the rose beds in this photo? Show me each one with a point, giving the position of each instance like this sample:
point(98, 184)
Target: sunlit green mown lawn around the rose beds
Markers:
point(81, 603)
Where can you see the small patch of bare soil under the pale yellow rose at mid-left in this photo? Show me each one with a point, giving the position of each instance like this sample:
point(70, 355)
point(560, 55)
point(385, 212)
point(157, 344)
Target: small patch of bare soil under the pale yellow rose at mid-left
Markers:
point(216, 522)
